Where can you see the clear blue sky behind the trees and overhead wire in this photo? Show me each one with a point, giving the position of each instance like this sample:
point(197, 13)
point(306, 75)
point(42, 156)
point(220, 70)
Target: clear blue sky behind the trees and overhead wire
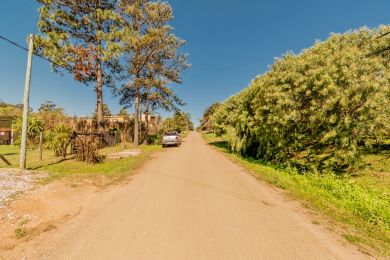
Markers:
point(229, 43)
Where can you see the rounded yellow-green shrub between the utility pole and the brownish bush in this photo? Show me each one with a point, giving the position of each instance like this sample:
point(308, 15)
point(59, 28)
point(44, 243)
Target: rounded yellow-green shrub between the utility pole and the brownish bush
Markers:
point(59, 139)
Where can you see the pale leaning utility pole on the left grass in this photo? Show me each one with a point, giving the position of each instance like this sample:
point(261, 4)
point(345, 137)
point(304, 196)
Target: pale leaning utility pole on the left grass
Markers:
point(26, 99)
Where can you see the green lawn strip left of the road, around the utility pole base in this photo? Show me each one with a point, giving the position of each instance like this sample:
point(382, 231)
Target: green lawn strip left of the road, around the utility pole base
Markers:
point(59, 167)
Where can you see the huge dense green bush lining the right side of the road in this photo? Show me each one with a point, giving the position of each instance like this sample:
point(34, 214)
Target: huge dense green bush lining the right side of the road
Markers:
point(312, 110)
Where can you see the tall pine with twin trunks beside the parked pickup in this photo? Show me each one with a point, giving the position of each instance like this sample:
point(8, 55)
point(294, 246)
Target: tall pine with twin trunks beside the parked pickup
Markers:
point(152, 61)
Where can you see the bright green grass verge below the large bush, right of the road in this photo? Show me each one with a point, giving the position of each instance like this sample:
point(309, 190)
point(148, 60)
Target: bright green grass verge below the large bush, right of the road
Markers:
point(358, 204)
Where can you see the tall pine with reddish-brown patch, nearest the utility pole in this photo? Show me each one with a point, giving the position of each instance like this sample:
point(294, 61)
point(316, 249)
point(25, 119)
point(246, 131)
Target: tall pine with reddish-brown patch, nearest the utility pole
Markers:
point(81, 36)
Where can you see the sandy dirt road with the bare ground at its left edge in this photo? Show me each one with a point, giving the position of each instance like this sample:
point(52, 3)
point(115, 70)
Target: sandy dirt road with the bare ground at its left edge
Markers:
point(187, 203)
